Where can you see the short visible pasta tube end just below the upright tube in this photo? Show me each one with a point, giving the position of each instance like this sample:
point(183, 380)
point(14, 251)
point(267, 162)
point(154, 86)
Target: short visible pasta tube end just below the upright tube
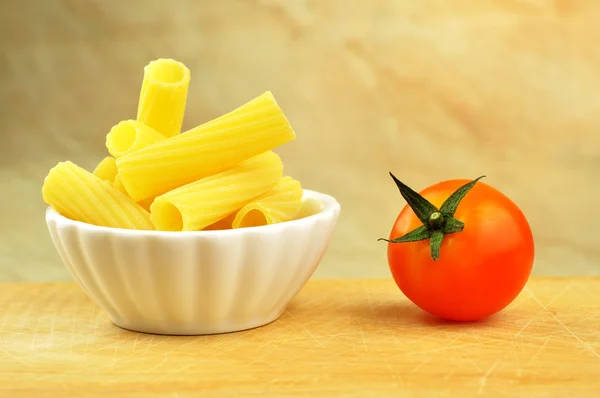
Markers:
point(130, 135)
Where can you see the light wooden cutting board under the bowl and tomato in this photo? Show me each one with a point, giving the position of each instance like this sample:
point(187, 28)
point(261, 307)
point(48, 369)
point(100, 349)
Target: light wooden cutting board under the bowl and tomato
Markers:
point(339, 338)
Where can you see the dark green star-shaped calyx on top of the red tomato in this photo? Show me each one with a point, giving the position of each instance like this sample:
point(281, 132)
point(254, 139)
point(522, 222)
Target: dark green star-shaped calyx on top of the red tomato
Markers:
point(436, 222)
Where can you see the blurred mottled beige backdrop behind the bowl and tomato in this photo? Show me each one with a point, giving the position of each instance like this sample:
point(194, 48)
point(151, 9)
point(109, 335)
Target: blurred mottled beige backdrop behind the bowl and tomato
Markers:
point(428, 89)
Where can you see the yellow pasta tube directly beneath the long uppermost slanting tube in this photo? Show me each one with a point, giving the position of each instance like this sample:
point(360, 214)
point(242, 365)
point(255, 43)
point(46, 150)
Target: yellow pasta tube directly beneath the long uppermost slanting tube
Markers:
point(206, 201)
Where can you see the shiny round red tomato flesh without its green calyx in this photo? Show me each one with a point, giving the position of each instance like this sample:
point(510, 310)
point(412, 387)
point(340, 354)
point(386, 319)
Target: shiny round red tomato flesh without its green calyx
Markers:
point(480, 270)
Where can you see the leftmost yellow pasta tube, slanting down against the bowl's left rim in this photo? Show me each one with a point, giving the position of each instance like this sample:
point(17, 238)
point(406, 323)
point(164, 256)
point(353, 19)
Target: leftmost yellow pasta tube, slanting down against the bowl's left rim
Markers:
point(79, 195)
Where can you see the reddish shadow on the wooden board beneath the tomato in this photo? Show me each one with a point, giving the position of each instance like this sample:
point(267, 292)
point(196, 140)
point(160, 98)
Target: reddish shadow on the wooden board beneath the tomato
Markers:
point(407, 314)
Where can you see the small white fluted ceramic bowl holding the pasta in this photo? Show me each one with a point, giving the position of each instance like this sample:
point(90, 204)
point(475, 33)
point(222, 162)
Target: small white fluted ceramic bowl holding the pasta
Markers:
point(200, 282)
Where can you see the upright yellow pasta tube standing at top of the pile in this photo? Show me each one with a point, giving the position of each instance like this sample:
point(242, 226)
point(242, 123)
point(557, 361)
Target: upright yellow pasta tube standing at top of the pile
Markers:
point(163, 96)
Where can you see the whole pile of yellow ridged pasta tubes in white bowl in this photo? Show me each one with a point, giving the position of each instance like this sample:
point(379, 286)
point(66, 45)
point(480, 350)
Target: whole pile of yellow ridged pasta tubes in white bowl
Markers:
point(222, 174)
